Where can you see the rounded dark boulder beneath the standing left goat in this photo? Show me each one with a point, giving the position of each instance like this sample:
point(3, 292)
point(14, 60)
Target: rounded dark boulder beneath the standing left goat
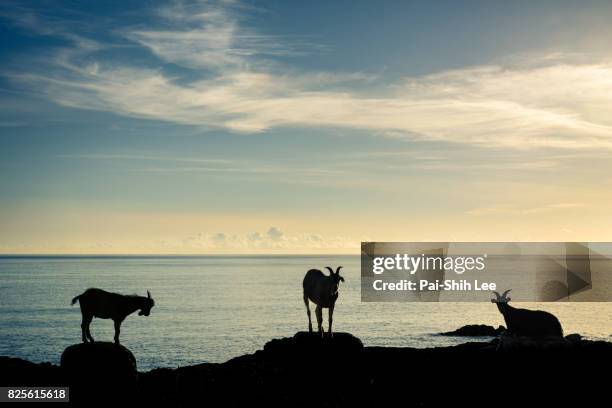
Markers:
point(100, 371)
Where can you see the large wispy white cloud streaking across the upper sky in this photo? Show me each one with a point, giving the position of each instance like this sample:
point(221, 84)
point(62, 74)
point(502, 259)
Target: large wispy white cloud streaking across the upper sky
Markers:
point(236, 85)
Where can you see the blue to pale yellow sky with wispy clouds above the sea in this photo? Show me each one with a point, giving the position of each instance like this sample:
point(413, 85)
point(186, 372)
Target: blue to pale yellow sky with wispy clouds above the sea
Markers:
point(302, 127)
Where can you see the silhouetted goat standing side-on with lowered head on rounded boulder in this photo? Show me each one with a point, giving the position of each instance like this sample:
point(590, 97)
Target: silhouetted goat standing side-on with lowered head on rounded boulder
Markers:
point(106, 305)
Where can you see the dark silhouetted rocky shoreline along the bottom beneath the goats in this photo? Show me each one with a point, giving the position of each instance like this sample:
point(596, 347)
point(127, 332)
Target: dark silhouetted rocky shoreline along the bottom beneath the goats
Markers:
point(307, 371)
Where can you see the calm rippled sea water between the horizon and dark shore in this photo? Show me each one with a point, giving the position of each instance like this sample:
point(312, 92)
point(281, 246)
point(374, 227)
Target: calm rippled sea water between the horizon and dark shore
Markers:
point(213, 308)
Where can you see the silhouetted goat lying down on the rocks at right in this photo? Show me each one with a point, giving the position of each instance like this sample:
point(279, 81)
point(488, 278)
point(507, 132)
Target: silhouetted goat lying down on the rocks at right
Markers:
point(523, 322)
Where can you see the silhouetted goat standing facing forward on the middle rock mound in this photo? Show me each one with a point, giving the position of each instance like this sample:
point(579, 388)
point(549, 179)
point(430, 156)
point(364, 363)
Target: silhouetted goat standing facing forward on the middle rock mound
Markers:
point(322, 290)
